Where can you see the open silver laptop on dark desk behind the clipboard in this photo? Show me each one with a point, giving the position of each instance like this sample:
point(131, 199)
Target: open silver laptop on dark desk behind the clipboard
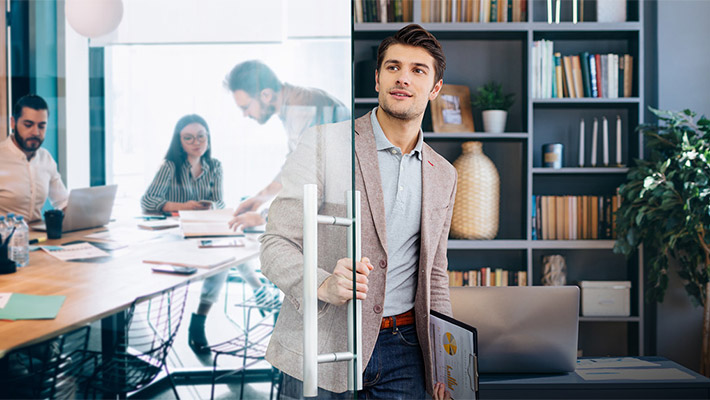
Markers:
point(521, 329)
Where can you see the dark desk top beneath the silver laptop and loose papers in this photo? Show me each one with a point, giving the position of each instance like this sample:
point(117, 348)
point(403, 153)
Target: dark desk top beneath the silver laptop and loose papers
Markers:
point(572, 386)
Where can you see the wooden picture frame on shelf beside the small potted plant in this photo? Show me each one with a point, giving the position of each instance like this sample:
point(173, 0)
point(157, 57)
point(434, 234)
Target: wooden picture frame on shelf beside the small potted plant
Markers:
point(451, 110)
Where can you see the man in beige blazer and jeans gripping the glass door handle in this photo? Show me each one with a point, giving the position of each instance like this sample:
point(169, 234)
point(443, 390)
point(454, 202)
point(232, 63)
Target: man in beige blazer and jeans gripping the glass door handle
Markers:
point(407, 196)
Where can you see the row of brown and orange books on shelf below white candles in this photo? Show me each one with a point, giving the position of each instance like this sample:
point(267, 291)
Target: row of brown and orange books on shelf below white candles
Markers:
point(574, 217)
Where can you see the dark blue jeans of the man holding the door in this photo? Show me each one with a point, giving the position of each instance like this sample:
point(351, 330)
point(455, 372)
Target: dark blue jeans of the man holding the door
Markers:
point(395, 370)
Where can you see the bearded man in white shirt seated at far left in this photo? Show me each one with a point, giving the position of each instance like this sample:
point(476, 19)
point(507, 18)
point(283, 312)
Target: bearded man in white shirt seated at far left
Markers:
point(28, 173)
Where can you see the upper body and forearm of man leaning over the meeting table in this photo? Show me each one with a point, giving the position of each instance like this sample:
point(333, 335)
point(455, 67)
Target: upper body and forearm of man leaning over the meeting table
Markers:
point(260, 94)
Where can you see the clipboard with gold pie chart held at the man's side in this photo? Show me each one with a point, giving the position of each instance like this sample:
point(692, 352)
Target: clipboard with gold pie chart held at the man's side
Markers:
point(454, 352)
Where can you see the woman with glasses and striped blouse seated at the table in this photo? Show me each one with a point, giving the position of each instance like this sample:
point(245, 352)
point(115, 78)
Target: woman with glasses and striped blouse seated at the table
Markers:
point(189, 178)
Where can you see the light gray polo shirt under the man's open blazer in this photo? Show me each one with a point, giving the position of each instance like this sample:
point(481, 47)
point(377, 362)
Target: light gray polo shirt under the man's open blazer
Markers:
point(402, 191)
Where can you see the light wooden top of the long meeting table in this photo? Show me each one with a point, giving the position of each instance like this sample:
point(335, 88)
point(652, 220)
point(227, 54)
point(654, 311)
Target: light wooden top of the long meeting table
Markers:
point(96, 290)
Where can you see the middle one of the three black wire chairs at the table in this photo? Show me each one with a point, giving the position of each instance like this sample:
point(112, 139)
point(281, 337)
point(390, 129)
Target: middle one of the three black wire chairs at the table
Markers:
point(140, 350)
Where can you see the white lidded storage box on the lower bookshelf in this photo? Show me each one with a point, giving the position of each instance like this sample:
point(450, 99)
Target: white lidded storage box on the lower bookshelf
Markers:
point(605, 298)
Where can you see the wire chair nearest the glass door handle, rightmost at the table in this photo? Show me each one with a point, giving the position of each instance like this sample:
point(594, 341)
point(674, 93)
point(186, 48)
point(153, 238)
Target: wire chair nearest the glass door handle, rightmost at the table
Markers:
point(251, 343)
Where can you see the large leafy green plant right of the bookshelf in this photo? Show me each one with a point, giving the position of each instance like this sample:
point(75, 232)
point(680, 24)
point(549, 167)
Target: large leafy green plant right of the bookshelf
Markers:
point(666, 207)
